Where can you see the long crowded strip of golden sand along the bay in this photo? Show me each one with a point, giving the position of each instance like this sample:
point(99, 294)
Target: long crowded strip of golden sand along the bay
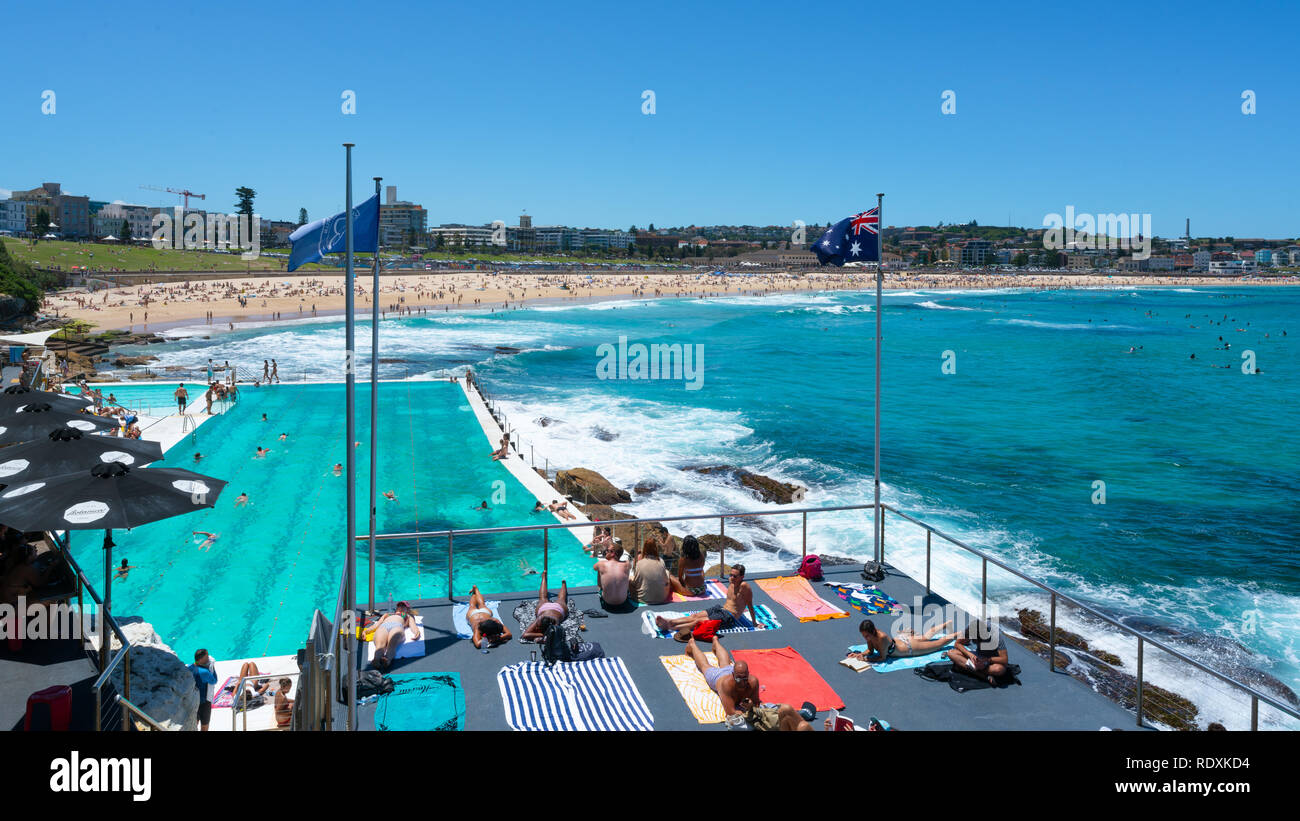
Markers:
point(288, 297)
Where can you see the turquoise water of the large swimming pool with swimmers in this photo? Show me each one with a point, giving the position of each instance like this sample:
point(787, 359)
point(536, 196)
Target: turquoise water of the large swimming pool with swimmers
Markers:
point(280, 558)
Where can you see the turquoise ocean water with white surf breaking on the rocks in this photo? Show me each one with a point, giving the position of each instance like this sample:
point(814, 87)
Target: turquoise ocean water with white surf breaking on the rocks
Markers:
point(1056, 397)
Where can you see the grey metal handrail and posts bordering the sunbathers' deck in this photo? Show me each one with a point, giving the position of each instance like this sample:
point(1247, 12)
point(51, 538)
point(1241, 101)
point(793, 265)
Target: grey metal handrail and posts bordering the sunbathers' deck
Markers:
point(930, 531)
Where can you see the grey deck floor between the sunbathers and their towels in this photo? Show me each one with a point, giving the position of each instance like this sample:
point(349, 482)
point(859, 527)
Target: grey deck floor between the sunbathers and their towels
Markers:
point(1046, 701)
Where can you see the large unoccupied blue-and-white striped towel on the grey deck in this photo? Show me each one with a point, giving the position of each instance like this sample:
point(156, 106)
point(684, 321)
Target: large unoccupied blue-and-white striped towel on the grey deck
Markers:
point(597, 694)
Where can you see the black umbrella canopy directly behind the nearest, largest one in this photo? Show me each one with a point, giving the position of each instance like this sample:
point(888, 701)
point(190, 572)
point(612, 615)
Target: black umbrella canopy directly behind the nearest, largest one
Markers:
point(70, 451)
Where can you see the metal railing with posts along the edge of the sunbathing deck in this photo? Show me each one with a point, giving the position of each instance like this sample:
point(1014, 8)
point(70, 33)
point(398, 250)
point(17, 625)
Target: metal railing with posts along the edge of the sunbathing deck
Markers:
point(986, 561)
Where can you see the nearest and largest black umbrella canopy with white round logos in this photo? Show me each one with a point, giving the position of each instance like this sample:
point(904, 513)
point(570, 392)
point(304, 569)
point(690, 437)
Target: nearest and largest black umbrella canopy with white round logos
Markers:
point(107, 497)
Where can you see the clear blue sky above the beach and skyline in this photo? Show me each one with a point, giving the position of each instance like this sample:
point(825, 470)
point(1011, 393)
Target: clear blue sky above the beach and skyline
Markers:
point(766, 112)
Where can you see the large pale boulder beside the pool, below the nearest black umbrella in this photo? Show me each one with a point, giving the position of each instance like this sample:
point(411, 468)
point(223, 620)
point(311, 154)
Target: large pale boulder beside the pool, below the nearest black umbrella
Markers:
point(162, 685)
